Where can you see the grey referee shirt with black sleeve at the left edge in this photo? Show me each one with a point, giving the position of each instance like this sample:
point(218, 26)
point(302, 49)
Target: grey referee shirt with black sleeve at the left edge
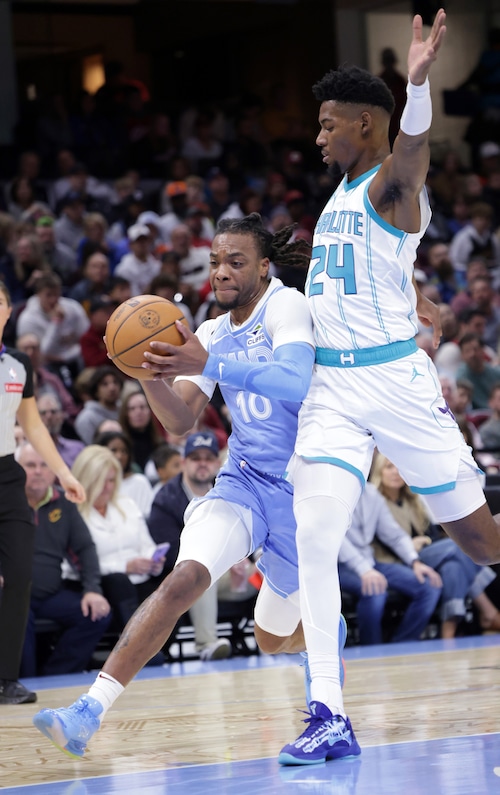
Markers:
point(16, 383)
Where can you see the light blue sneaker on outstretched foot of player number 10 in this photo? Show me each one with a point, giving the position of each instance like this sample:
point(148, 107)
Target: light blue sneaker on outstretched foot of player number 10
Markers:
point(70, 728)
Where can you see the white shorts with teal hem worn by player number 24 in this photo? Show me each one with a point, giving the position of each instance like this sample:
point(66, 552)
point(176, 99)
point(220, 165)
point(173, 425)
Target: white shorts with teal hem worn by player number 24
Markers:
point(397, 407)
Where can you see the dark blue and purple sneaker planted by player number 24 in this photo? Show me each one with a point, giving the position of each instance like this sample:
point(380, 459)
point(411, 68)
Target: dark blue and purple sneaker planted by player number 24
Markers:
point(327, 737)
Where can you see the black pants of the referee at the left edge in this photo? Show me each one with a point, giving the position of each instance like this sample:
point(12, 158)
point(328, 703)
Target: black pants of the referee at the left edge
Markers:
point(17, 539)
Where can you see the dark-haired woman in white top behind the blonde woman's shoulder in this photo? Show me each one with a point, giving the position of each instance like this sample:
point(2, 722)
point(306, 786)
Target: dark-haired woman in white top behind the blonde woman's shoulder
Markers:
point(134, 483)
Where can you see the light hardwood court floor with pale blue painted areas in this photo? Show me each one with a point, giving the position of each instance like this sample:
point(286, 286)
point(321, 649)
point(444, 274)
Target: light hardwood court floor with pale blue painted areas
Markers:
point(426, 716)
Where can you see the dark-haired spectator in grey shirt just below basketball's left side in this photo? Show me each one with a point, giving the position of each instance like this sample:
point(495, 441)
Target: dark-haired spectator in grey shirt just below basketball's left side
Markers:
point(104, 387)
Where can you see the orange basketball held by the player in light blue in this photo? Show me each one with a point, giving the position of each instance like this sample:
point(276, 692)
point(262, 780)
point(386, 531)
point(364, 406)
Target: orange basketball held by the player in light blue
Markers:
point(136, 323)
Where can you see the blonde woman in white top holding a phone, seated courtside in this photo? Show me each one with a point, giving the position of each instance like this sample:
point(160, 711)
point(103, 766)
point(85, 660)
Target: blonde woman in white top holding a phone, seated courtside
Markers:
point(124, 545)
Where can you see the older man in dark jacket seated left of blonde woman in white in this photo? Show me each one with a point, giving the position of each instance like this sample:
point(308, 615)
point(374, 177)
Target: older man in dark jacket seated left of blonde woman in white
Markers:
point(79, 608)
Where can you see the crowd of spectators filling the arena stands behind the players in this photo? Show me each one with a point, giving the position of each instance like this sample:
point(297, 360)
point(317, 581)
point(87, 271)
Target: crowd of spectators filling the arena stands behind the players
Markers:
point(119, 199)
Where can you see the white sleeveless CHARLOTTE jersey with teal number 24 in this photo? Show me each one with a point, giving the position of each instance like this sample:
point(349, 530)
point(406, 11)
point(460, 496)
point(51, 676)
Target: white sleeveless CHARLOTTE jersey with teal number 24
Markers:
point(359, 285)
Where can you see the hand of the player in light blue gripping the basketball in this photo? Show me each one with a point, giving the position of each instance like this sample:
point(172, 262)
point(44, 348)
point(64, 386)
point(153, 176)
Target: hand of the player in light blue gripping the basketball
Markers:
point(168, 361)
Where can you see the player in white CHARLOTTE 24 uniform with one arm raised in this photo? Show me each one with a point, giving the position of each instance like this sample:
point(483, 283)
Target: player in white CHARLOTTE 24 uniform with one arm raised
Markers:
point(371, 385)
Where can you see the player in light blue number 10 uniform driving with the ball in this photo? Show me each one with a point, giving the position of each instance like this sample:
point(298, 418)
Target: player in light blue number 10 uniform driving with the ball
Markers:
point(262, 353)
